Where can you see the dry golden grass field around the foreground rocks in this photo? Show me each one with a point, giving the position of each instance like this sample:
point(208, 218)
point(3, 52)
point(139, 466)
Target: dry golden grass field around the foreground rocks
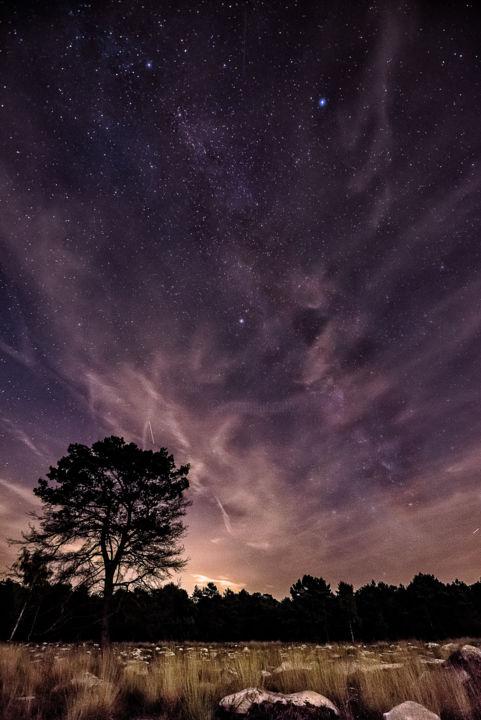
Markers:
point(80, 682)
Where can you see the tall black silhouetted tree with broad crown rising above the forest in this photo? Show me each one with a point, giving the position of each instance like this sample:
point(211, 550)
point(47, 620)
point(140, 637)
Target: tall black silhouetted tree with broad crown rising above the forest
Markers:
point(111, 518)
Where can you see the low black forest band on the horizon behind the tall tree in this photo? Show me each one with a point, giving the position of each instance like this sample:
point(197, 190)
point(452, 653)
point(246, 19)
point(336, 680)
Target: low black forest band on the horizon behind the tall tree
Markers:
point(426, 609)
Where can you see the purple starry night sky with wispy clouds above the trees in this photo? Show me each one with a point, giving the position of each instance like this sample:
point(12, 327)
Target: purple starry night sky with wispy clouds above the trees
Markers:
point(250, 232)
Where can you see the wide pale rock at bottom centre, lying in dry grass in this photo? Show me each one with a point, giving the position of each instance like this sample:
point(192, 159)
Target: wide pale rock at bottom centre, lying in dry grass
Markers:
point(254, 701)
